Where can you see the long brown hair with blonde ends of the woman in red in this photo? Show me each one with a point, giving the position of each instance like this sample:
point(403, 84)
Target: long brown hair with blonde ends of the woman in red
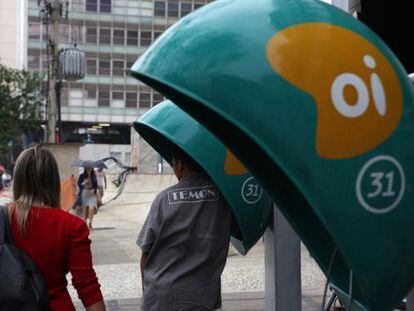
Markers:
point(36, 177)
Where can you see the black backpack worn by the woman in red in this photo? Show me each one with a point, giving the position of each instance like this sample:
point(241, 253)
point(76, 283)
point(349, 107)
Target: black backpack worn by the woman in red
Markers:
point(21, 285)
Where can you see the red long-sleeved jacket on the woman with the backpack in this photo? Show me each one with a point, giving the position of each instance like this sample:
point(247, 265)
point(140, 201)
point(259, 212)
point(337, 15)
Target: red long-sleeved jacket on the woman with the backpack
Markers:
point(58, 242)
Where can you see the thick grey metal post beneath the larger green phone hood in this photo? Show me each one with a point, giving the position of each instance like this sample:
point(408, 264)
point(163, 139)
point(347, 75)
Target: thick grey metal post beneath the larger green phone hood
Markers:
point(282, 266)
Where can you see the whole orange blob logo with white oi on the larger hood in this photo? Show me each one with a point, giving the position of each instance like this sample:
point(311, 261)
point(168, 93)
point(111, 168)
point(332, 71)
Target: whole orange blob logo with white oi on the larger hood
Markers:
point(356, 90)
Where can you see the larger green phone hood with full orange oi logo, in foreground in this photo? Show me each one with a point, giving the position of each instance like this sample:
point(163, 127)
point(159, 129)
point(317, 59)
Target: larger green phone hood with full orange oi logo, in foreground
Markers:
point(319, 109)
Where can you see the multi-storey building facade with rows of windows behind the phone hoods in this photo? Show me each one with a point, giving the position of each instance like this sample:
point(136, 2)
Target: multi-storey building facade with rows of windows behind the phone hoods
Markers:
point(113, 33)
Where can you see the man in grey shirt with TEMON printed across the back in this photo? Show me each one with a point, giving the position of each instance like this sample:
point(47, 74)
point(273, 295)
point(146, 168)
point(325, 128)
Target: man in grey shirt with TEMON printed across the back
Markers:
point(184, 243)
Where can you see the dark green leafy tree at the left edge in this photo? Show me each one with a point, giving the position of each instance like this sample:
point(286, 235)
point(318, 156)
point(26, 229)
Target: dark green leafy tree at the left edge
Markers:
point(21, 106)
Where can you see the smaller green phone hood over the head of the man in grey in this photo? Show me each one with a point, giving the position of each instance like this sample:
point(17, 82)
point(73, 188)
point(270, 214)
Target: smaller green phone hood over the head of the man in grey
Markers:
point(166, 126)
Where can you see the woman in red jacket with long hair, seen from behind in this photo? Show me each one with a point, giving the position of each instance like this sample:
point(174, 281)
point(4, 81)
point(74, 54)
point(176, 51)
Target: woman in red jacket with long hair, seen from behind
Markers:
point(56, 241)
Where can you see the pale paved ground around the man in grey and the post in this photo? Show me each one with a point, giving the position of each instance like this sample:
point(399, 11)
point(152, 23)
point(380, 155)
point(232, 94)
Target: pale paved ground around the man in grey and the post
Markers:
point(116, 258)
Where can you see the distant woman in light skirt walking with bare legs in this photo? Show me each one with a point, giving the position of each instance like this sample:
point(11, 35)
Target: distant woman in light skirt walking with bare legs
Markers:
point(88, 187)
